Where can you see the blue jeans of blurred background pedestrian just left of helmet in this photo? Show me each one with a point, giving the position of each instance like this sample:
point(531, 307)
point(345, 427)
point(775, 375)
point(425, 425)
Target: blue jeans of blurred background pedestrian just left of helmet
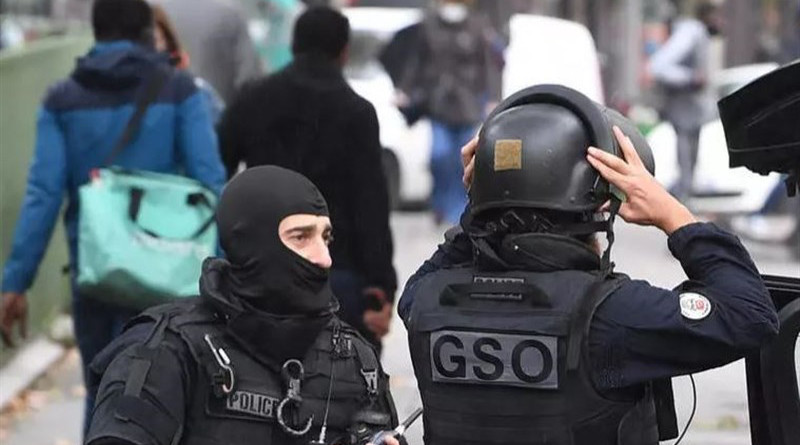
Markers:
point(449, 196)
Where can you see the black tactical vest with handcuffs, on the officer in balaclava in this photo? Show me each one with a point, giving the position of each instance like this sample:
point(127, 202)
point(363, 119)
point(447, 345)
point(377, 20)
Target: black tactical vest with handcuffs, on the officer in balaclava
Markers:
point(237, 399)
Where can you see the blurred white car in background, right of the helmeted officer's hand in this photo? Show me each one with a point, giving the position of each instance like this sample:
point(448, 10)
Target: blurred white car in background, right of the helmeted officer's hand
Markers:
point(717, 189)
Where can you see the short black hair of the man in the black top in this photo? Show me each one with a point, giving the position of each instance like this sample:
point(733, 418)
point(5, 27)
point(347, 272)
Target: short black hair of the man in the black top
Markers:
point(321, 30)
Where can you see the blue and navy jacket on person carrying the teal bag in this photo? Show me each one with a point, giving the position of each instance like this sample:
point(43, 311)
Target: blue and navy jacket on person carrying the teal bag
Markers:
point(81, 119)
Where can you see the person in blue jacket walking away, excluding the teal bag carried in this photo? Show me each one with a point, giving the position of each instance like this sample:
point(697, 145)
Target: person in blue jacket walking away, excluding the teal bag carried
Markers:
point(80, 121)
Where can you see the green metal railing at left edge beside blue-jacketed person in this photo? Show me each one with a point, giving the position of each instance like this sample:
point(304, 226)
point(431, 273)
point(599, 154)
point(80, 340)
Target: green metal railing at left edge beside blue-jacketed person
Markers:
point(25, 75)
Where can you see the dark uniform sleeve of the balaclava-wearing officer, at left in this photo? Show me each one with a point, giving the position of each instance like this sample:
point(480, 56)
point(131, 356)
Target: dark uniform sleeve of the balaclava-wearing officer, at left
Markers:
point(151, 415)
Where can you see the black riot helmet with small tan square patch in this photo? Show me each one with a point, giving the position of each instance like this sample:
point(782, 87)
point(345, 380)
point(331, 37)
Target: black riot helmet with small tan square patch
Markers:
point(532, 152)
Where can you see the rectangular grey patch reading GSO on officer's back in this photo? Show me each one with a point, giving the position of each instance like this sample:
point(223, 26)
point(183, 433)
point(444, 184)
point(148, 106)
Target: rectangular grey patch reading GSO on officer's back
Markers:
point(528, 361)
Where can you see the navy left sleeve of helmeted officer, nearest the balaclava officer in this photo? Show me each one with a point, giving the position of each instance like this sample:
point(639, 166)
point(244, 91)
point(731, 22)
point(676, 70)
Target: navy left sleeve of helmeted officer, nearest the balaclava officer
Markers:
point(455, 250)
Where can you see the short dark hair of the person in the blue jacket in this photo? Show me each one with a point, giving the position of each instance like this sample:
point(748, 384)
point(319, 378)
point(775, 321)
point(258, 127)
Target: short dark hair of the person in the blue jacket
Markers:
point(122, 20)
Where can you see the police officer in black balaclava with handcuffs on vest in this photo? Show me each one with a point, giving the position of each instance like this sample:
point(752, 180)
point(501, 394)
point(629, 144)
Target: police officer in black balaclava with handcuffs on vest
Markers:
point(260, 356)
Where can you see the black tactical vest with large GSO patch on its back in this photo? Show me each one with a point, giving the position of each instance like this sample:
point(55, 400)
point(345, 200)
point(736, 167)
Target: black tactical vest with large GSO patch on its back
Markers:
point(501, 358)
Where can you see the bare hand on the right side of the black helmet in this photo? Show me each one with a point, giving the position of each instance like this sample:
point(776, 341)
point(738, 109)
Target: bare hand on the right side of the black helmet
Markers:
point(647, 202)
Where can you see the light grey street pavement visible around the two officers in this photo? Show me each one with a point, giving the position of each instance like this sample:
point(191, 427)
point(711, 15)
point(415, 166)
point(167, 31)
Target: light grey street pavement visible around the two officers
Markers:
point(721, 419)
